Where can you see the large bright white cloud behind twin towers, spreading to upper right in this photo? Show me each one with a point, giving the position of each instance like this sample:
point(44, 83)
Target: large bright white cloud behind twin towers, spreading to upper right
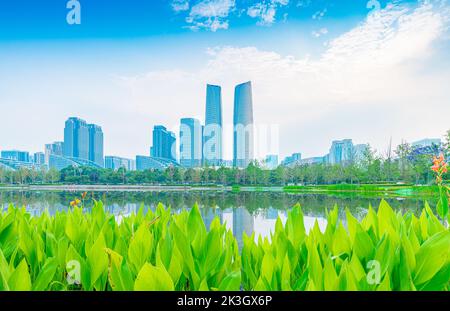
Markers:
point(370, 83)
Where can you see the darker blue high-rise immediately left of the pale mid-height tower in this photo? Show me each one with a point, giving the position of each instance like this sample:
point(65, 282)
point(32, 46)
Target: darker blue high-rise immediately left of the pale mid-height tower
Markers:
point(163, 143)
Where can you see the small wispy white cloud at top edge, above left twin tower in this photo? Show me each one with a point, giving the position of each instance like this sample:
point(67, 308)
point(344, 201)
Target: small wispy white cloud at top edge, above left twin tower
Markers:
point(210, 14)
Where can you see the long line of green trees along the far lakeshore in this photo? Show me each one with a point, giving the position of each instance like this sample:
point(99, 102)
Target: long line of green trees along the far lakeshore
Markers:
point(404, 164)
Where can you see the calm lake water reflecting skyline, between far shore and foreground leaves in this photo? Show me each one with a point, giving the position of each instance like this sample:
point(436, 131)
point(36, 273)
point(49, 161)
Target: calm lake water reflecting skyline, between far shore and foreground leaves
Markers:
point(242, 212)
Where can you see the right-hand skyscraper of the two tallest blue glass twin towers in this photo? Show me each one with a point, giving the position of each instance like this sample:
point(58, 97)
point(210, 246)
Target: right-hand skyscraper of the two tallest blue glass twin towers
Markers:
point(243, 141)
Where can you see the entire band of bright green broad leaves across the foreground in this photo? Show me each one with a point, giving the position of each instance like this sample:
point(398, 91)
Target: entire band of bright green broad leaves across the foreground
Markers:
point(162, 250)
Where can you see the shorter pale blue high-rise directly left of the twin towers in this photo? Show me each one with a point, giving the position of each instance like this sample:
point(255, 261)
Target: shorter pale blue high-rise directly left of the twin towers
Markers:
point(191, 142)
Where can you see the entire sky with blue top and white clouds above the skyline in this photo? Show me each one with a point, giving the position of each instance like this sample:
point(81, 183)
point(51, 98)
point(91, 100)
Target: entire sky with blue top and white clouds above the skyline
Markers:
point(321, 70)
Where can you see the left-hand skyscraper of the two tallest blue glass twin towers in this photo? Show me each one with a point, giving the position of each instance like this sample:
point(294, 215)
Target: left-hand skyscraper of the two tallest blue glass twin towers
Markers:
point(212, 134)
